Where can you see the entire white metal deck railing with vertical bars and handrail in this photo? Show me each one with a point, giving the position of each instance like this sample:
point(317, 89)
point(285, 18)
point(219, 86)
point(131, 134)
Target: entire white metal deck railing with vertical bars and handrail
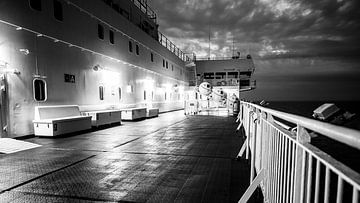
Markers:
point(287, 167)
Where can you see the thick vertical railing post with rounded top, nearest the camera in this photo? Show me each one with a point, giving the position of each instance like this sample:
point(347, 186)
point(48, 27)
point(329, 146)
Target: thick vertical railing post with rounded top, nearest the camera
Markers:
point(302, 137)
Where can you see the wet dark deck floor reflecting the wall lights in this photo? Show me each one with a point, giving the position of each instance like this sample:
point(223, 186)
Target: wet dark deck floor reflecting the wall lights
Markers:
point(164, 159)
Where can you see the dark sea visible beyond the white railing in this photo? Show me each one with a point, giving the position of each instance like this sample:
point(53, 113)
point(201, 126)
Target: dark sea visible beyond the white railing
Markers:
point(341, 152)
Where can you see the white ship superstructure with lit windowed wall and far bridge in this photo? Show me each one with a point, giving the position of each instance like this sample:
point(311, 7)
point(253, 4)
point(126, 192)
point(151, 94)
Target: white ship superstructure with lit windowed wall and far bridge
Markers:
point(105, 55)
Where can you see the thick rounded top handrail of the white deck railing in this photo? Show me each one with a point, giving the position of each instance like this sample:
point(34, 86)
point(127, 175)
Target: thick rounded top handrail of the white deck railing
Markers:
point(344, 135)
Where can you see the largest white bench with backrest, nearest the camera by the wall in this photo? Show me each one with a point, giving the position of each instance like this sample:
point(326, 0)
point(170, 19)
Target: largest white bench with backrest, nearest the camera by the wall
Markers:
point(57, 120)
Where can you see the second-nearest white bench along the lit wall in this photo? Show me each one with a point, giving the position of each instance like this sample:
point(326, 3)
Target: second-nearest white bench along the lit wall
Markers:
point(103, 117)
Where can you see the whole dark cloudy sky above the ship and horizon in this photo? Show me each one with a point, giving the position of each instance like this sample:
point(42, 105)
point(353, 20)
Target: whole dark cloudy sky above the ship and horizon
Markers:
point(302, 49)
